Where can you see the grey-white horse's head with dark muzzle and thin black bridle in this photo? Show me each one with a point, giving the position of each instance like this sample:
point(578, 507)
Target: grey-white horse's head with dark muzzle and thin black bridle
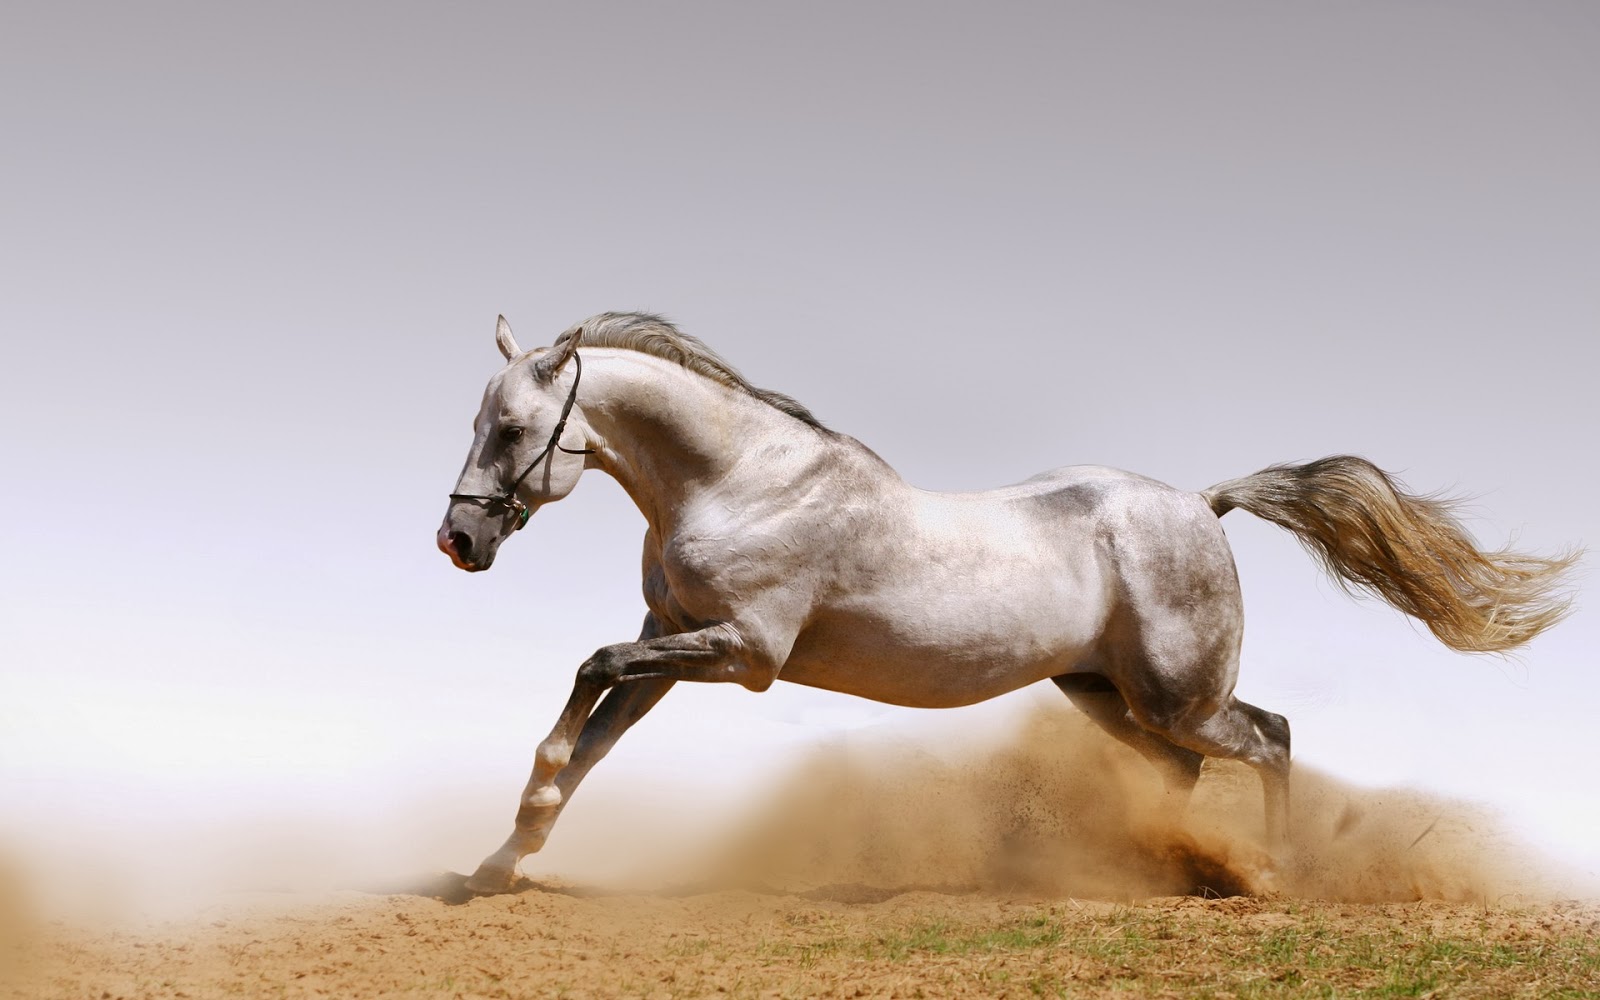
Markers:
point(518, 462)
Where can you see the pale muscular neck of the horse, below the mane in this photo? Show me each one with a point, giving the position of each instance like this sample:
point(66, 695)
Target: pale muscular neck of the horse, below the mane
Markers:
point(670, 436)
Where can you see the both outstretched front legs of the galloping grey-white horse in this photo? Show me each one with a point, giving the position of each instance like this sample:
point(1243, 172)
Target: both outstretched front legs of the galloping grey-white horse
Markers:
point(580, 740)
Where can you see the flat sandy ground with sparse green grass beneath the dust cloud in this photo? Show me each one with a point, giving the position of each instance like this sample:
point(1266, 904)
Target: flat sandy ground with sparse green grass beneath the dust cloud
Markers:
point(554, 942)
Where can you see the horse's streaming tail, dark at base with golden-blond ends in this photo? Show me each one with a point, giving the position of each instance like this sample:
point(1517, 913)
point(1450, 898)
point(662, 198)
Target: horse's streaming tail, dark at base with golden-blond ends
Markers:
point(1412, 551)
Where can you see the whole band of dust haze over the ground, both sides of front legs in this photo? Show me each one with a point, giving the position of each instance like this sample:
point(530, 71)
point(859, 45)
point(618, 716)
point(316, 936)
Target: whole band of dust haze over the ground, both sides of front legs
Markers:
point(1049, 807)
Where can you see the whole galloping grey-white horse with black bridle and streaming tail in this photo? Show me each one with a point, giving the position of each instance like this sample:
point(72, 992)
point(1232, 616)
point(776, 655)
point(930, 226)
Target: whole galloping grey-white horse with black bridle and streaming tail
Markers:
point(782, 550)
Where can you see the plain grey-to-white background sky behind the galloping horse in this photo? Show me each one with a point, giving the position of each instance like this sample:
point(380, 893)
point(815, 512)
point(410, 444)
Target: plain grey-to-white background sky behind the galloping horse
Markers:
point(252, 260)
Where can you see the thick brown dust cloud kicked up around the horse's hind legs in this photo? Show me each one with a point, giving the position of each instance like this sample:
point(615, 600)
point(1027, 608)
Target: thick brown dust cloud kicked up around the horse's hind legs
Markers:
point(1063, 810)
